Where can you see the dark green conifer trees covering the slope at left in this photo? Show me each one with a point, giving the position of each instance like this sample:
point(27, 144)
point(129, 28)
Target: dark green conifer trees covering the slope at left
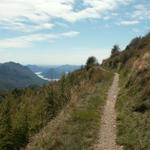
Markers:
point(23, 113)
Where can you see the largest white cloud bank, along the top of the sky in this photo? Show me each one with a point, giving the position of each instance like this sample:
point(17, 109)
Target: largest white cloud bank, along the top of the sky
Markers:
point(19, 14)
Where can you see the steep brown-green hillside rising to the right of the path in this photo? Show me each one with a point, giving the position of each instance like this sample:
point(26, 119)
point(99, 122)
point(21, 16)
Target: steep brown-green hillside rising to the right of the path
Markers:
point(133, 104)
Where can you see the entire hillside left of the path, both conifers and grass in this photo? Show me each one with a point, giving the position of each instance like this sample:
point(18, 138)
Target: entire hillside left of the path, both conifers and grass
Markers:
point(62, 111)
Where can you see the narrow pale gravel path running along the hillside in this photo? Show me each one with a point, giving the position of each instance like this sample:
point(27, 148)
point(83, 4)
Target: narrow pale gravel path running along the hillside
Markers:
point(107, 135)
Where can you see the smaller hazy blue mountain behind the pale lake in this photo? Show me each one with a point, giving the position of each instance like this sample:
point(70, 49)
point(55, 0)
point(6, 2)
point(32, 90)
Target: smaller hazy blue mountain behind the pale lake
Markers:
point(58, 72)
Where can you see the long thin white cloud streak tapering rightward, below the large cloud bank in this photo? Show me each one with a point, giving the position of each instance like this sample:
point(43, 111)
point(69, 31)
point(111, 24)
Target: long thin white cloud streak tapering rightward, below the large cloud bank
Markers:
point(28, 40)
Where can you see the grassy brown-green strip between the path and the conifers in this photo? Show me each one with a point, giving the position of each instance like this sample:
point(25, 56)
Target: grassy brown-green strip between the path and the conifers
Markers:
point(77, 125)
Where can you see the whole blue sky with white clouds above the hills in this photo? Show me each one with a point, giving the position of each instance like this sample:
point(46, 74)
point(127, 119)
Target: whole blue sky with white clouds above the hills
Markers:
point(68, 31)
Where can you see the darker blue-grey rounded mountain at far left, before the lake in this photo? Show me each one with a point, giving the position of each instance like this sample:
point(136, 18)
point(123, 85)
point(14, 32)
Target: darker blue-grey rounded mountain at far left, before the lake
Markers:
point(14, 75)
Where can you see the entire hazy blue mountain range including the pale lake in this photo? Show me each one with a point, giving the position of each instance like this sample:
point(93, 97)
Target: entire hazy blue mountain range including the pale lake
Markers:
point(14, 75)
